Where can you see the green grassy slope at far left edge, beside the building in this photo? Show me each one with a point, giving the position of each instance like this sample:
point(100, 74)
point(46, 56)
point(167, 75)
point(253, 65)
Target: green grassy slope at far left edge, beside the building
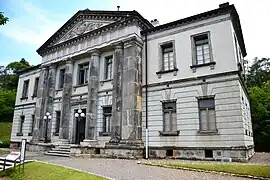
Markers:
point(5, 131)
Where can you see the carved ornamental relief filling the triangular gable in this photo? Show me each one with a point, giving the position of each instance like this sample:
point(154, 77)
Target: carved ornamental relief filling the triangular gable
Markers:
point(81, 28)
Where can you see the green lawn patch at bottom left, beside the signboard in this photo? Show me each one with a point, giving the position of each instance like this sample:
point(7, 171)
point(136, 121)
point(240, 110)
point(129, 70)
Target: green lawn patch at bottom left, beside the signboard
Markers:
point(44, 171)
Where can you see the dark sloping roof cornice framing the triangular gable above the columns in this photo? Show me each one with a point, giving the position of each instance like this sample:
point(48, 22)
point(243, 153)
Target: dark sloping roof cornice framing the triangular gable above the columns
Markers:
point(117, 16)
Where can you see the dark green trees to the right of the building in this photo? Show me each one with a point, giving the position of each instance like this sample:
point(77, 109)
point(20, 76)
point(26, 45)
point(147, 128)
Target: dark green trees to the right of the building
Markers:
point(258, 81)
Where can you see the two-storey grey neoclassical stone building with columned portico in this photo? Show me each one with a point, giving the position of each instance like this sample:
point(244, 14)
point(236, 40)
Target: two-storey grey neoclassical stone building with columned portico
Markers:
point(114, 84)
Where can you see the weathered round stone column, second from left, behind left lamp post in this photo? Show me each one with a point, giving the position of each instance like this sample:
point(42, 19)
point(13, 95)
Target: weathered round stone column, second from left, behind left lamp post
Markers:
point(50, 95)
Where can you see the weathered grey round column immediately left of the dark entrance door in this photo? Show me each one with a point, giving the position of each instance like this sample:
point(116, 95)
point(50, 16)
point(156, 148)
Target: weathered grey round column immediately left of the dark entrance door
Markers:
point(66, 102)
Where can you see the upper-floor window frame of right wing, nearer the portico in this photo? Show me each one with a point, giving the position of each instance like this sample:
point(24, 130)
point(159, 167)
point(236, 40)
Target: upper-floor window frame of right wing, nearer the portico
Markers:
point(161, 47)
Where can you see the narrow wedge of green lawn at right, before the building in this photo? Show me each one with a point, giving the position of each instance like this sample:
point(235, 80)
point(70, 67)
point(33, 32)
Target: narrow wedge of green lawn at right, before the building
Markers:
point(253, 170)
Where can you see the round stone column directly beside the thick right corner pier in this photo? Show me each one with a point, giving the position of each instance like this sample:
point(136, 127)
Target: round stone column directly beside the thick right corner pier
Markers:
point(117, 94)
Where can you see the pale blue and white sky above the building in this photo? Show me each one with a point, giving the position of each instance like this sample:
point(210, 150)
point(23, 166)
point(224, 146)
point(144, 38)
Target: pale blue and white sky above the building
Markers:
point(32, 22)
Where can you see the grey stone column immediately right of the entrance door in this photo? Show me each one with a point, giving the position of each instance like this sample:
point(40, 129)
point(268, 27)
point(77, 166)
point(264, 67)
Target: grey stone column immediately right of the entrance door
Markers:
point(92, 99)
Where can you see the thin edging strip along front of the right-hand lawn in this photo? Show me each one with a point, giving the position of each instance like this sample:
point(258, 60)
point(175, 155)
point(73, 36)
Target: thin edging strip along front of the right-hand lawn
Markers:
point(200, 170)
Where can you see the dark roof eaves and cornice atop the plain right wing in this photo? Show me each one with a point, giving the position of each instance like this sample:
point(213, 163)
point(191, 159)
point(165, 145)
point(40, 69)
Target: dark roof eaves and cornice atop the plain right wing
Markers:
point(223, 9)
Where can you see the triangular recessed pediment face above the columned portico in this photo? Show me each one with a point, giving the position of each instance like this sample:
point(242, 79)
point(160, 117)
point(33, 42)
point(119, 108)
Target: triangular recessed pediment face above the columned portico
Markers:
point(82, 27)
